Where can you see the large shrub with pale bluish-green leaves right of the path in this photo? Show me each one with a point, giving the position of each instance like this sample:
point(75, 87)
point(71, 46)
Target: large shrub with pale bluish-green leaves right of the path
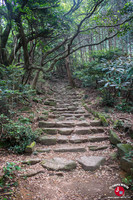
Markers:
point(113, 74)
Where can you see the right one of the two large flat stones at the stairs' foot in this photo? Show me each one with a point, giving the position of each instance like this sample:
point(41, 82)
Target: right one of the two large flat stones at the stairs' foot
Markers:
point(91, 163)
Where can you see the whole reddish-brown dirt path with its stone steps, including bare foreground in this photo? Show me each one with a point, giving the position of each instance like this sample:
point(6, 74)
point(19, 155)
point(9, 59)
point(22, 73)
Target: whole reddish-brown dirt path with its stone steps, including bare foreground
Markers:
point(72, 159)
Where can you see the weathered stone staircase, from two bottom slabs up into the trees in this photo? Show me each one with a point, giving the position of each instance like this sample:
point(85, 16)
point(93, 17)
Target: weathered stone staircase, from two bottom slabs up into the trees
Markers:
point(69, 129)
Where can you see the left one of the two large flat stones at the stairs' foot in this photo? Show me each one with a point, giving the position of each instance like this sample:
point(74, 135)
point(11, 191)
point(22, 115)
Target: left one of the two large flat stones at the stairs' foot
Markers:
point(57, 164)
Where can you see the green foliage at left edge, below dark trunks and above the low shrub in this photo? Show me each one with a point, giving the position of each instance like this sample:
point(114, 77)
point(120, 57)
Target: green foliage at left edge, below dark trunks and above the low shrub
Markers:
point(12, 91)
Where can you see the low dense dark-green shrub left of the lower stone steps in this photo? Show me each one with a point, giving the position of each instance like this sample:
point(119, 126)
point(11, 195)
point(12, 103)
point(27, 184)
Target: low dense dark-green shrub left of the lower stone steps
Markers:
point(16, 135)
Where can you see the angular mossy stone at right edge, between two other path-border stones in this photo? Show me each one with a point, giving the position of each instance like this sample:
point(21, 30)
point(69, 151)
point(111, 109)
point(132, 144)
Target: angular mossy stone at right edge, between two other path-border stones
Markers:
point(123, 149)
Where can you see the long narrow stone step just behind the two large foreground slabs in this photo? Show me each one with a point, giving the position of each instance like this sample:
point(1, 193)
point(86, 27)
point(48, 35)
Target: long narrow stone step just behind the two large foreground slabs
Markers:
point(70, 149)
